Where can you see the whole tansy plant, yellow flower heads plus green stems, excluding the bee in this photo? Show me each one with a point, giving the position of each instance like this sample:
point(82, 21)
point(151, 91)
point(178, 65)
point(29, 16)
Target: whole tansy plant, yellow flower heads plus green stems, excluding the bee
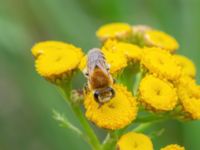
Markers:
point(148, 77)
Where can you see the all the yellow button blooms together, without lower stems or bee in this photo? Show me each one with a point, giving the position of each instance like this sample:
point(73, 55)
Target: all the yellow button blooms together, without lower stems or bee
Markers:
point(167, 82)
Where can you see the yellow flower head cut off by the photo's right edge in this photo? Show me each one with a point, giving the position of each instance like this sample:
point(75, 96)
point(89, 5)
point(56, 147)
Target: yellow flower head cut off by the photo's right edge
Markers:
point(189, 95)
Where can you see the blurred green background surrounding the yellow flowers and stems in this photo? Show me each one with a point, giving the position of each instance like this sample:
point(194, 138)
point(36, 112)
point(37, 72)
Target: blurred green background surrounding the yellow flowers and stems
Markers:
point(27, 100)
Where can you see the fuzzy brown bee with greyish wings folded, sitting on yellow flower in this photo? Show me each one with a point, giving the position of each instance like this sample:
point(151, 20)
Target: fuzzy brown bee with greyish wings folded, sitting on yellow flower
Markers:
point(99, 79)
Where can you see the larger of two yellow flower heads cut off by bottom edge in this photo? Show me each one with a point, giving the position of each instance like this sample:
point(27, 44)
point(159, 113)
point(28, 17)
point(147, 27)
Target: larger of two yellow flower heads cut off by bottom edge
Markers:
point(134, 141)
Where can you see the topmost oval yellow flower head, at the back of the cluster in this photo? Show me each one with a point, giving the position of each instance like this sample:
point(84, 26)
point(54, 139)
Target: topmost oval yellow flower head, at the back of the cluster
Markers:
point(114, 30)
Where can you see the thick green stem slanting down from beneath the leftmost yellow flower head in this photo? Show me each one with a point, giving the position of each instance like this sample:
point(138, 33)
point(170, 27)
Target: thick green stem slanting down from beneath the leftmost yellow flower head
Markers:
point(92, 138)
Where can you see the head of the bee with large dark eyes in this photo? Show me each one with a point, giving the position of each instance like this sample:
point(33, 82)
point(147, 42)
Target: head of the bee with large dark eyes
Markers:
point(104, 95)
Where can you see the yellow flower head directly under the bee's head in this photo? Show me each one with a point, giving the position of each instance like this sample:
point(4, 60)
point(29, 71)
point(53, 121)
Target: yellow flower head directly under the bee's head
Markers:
point(115, 114)
